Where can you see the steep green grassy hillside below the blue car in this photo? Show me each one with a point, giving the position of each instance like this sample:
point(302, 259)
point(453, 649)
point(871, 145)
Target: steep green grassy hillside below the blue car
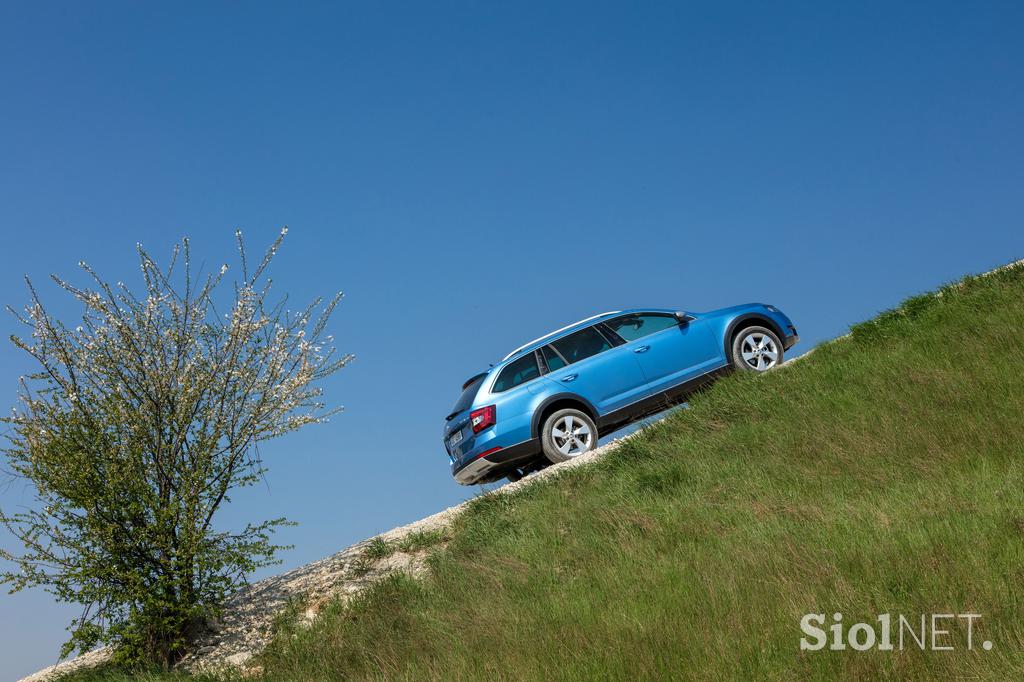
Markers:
point(881, 475)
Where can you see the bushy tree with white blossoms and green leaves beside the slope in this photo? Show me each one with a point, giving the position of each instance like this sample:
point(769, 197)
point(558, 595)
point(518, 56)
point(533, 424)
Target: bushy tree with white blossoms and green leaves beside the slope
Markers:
point(135, 432)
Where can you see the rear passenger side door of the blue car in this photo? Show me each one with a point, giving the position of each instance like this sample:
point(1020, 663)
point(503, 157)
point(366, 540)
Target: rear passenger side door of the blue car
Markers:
point(587, 363)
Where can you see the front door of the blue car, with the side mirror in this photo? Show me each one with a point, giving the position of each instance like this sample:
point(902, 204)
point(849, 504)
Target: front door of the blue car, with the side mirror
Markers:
point(669, 352)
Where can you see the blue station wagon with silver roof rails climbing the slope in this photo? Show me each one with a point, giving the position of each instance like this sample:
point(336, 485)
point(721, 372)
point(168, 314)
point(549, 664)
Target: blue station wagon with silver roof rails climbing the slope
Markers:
point(550, 400)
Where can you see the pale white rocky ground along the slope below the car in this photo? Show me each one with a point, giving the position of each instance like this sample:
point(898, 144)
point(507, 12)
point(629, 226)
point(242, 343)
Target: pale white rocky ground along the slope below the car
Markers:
point(248, 621)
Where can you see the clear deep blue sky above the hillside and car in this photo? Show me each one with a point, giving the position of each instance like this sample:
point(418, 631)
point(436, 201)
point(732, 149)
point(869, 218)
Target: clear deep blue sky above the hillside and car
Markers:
point(474, 178)
